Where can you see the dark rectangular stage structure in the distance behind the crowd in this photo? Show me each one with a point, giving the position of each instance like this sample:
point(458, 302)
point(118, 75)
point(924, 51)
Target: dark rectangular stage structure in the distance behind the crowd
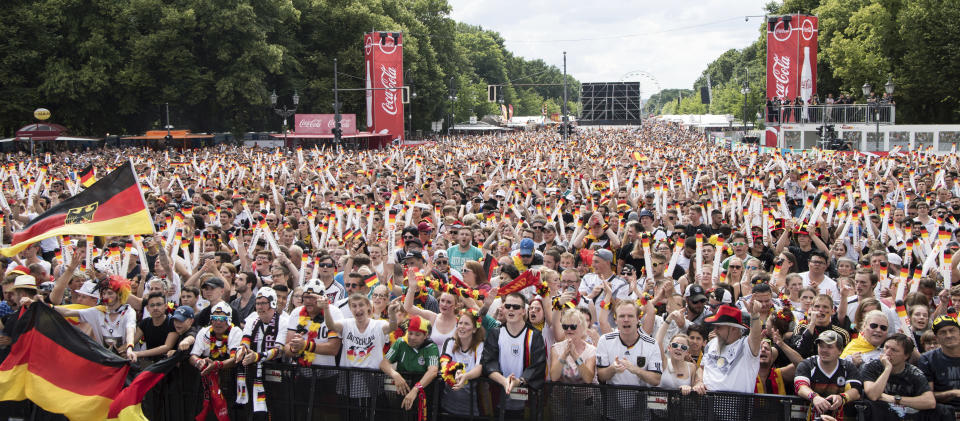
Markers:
point(612, 103)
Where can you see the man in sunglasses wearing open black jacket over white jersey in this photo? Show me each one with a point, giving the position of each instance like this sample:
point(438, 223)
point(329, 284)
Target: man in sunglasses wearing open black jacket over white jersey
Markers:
point(524, 365)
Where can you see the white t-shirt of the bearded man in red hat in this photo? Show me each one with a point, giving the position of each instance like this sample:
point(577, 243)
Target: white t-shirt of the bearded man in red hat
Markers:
point(732, 370)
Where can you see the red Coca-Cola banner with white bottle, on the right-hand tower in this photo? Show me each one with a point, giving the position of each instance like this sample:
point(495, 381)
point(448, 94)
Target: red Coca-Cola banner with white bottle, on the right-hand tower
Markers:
point(791, 60)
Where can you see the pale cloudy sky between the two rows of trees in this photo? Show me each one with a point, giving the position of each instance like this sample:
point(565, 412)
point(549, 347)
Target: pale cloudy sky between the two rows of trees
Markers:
point(671, 40)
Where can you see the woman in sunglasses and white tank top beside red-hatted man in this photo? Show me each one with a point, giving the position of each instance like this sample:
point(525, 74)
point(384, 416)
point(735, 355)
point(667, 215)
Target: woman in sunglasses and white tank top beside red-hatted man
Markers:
point(678, 371)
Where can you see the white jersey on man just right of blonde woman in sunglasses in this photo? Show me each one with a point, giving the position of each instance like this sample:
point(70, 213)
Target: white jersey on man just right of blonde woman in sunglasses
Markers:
point(643, 353)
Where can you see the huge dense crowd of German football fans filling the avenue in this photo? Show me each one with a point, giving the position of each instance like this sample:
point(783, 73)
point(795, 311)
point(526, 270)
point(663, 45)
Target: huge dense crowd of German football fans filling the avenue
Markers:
point(644, 257)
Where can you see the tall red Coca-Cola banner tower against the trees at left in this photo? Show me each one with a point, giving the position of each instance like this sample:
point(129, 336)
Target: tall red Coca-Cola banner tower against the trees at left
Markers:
point(383, 58)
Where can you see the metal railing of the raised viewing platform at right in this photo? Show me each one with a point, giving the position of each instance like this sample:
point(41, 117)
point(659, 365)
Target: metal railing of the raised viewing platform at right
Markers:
point(831, 114)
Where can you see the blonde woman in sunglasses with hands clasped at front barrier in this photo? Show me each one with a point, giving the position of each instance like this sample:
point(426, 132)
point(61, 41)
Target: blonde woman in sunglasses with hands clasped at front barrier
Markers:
point(573, 360)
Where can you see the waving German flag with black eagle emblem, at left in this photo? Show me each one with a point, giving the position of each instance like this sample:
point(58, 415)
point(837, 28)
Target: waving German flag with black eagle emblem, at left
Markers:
point(114, 205)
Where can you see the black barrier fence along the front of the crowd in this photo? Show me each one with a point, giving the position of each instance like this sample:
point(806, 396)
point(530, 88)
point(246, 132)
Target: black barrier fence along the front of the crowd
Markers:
point(333, 393)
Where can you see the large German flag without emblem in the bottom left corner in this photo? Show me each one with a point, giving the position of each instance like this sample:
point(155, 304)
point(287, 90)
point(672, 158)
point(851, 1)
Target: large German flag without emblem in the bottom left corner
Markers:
point(59, 368)
